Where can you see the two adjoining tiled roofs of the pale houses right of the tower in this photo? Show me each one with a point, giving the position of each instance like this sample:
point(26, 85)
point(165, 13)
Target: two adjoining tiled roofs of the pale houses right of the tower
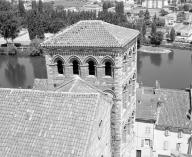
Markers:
point(173, 111)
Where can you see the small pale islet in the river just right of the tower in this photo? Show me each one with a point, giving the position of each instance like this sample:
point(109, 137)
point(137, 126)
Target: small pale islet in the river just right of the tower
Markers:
point(154, 50)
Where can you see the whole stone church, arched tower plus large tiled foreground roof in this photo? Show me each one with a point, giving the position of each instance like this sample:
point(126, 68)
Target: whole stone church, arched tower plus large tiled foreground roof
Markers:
point(86, 106)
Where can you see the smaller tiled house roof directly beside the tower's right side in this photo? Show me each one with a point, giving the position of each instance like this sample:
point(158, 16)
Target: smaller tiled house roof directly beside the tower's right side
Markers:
point(146, 105)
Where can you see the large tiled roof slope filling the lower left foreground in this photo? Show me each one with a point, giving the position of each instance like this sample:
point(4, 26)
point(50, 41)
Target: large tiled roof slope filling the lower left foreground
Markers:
point(39, 123)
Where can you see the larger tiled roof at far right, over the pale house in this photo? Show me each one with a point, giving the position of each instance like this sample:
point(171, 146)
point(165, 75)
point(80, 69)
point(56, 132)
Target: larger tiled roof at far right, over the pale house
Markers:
point(174, 110)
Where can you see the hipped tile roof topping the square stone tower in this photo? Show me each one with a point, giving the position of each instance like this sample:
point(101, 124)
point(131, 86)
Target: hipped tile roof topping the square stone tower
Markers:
point(92, 33)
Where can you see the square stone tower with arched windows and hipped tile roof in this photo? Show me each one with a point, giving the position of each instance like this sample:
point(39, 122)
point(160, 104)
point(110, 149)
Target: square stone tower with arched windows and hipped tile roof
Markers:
point(104, 55)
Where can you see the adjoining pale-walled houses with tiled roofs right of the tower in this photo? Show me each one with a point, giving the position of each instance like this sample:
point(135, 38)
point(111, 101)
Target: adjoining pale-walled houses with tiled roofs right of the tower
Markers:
point(162, 115)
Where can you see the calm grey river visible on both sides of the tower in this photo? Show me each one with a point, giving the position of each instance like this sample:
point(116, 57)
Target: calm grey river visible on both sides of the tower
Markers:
point(173, 70)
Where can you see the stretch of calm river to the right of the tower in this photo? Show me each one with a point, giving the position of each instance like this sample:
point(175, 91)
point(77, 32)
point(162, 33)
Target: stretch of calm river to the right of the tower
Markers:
point(173, 70)
